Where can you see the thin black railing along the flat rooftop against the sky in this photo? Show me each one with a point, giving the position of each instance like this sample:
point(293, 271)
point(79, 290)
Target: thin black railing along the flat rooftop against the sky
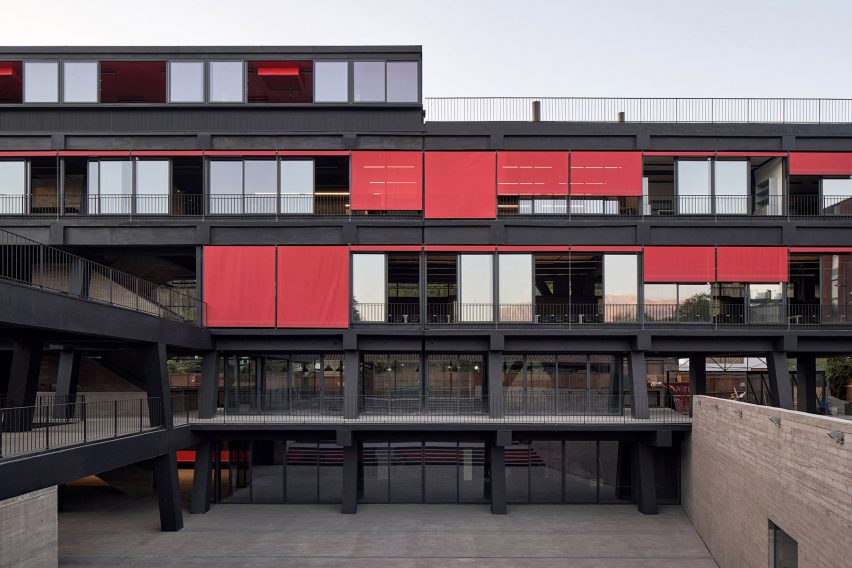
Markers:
point(606, 109)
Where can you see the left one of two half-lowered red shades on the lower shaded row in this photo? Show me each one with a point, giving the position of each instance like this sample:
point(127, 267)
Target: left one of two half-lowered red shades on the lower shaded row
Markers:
point(680, 264)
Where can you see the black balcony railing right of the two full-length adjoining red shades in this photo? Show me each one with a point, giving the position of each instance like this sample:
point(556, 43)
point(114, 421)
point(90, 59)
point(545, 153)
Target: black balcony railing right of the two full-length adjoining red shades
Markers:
point(713, 314)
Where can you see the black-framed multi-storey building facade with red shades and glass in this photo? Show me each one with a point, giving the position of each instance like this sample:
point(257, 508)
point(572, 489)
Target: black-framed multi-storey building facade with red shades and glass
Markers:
point(461, 301)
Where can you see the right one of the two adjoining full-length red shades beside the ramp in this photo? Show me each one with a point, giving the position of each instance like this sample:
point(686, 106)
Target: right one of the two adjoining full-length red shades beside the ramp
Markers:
point(313, 286)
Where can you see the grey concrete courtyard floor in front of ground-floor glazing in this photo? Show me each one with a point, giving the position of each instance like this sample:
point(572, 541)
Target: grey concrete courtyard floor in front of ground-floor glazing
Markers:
point(102, 528)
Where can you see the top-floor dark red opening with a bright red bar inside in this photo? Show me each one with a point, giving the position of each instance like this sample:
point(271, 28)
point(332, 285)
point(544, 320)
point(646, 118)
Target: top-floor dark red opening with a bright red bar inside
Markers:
point(280, 81)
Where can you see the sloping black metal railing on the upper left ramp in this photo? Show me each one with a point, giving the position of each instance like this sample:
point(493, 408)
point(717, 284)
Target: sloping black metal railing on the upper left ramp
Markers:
point(33, 264)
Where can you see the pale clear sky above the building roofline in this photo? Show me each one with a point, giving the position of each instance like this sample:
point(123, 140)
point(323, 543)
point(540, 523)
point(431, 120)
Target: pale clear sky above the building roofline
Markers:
point(617, 48)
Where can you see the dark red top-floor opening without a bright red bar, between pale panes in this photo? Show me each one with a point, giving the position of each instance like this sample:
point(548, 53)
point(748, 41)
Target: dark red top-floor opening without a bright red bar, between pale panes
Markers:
point(133, 81)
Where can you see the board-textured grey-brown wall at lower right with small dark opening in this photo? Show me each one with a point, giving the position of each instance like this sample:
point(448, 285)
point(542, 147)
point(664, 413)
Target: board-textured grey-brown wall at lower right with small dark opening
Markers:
point(741, 472)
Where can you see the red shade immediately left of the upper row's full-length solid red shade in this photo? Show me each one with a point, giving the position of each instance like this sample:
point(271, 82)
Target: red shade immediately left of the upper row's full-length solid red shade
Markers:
point(387, 181)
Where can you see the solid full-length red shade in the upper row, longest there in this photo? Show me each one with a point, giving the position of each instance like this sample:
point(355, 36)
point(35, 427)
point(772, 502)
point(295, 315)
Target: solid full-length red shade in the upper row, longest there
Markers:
point(461, 185)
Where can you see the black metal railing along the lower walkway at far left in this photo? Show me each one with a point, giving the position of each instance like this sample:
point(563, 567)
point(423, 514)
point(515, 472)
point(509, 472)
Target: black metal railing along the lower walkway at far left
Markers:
point(50, 425)
